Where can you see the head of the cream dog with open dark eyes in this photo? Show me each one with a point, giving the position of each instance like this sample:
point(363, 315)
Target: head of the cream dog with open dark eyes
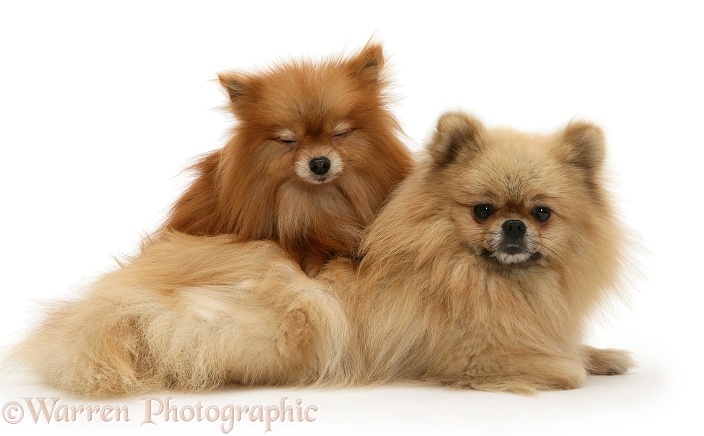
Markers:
point(517, 199)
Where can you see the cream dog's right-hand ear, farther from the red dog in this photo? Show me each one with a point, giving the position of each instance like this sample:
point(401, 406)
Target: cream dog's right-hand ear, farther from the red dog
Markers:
point(583, 145)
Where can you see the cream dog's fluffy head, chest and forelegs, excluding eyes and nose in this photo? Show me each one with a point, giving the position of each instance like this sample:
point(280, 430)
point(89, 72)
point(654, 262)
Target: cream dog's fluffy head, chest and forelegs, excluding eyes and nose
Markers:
point(437, 302)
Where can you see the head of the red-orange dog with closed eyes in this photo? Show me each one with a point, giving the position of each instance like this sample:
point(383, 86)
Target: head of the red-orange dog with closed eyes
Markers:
point(313, 122)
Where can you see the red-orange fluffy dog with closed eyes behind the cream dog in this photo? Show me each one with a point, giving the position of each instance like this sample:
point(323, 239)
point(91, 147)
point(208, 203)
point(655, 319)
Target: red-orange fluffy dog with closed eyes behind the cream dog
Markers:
point(264, 183)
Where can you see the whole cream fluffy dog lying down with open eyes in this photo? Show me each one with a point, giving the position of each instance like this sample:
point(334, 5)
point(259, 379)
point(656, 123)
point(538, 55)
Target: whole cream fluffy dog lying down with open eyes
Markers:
point(482, 272)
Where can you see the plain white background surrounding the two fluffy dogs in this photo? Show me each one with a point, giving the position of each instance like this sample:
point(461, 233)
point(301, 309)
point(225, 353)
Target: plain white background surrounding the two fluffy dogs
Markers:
point(102, 106)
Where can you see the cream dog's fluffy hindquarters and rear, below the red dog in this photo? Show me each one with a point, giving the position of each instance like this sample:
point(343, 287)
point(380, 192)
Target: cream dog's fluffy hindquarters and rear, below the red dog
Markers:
point(192, 313)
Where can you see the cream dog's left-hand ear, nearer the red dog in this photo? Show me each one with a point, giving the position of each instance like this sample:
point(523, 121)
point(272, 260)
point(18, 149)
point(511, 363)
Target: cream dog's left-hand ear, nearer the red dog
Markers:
point(456, 133)
